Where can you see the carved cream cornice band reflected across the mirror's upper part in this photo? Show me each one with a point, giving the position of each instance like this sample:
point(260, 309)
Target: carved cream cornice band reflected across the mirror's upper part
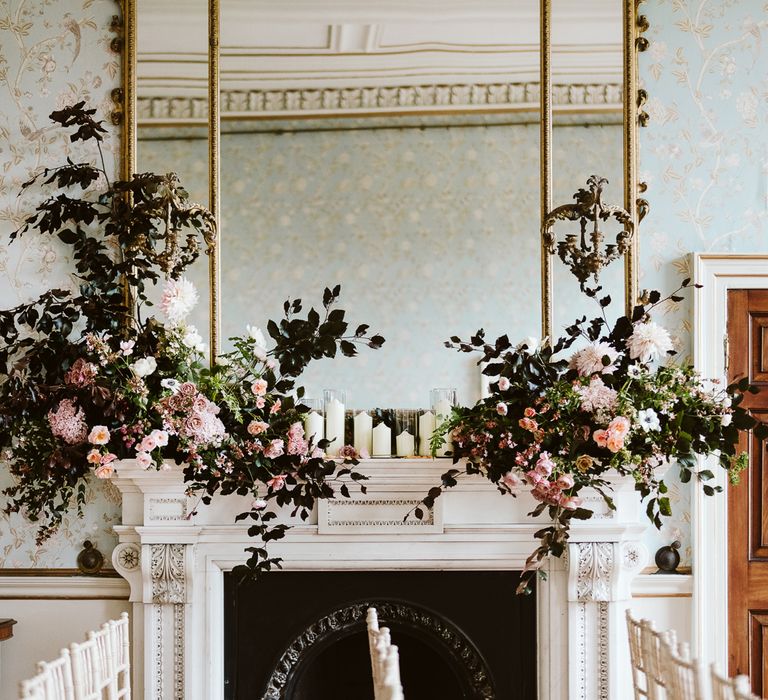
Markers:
point(379, 100)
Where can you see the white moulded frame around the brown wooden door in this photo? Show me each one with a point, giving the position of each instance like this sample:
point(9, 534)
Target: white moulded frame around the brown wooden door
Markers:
point(718, 273)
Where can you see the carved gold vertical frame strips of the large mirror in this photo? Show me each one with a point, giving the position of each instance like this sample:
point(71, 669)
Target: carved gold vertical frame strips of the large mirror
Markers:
point(633, 24)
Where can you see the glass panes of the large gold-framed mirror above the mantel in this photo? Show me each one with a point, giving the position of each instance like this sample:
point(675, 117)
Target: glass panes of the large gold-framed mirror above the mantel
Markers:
point(395, 152)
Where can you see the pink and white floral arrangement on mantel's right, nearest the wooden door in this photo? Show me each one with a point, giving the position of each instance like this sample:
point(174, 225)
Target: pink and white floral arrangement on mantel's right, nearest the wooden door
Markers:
point(555, 423)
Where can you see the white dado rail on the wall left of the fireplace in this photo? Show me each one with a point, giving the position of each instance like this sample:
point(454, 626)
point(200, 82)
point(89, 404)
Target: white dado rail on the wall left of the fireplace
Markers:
point(62, 587)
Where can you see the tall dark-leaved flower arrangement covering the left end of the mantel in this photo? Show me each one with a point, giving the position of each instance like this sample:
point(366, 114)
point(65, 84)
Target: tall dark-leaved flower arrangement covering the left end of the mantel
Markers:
point(90, 379)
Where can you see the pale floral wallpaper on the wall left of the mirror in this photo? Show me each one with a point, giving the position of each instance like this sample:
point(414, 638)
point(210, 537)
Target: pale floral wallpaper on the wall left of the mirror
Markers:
point(51, 54)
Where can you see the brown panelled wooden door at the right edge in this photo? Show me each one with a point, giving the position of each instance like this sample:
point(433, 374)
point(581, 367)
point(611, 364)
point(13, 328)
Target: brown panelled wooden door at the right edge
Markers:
point(748, 501)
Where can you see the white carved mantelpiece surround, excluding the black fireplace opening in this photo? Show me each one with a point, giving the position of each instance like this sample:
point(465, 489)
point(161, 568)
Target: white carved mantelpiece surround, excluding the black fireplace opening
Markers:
point(175, 566)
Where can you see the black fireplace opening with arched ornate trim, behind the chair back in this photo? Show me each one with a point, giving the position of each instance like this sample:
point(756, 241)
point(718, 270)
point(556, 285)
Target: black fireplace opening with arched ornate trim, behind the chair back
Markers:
point(462, 635)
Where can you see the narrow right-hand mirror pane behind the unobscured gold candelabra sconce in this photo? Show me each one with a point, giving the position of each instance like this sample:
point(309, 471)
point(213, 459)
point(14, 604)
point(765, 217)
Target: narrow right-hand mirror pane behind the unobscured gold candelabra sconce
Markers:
point(587, 138)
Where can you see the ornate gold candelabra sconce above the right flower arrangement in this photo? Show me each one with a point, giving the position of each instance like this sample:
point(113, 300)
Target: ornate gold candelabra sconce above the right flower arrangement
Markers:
point(586, 253)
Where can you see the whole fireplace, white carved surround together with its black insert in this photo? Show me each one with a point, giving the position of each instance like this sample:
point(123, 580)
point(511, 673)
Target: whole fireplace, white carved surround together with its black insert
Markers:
point(177, 557)
